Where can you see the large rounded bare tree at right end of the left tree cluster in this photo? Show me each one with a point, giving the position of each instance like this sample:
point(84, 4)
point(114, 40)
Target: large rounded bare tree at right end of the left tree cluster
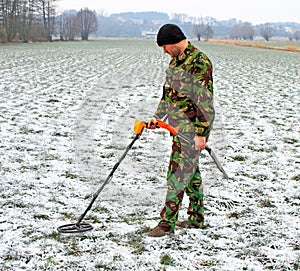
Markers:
point(88, 23)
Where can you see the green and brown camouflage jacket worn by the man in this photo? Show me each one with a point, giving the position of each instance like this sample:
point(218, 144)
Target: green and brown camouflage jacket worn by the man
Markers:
point(187, 99)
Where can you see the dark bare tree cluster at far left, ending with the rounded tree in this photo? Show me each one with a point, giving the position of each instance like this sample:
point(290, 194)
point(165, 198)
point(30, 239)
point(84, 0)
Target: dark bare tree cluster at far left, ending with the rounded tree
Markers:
point(36, 20)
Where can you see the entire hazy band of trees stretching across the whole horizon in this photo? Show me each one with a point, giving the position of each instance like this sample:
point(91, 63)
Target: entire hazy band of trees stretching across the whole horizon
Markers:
point(36, 20)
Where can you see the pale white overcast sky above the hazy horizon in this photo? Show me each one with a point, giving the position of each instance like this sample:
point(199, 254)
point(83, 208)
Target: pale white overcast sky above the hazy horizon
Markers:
point(253, 11)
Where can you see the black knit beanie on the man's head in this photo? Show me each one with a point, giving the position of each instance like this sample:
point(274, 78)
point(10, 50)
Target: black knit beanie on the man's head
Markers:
point(169, 34)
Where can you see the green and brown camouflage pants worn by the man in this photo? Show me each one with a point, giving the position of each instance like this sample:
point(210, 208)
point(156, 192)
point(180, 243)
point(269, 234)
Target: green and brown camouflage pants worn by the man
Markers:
point(183, 177)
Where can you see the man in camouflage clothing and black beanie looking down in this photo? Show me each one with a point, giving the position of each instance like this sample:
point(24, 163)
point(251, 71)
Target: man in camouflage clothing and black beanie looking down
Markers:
point(187, 103)
